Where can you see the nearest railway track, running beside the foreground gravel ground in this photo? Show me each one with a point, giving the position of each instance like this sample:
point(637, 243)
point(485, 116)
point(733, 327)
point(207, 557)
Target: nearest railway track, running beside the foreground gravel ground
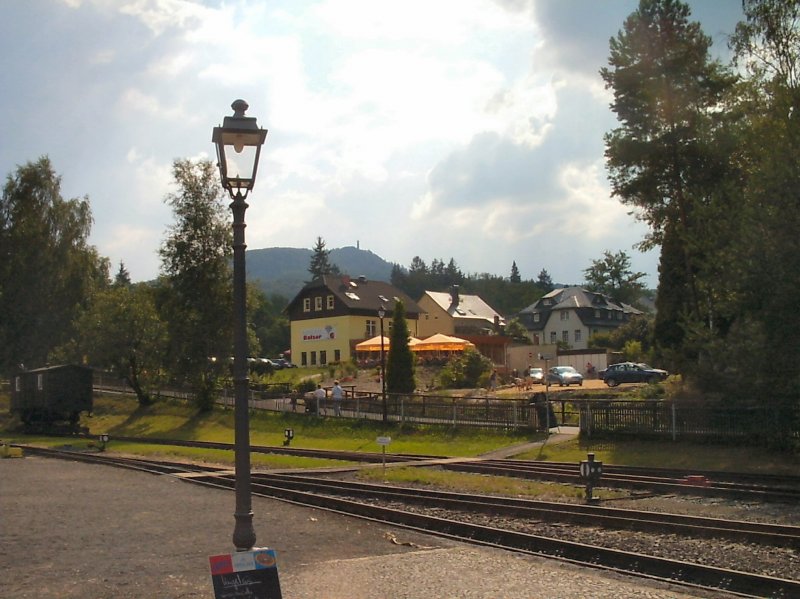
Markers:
point(380, 503)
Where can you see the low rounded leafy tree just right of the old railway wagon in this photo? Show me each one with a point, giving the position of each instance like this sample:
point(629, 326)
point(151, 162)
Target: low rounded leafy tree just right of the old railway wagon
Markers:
point(122, 332)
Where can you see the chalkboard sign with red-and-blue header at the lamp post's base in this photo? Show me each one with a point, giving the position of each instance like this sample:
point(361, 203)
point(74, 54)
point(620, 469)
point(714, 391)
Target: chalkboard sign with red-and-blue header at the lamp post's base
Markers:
point(252, 574)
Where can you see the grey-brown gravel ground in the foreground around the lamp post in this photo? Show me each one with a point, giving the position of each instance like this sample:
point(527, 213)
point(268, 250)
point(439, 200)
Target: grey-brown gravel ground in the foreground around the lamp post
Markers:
point(73, 530)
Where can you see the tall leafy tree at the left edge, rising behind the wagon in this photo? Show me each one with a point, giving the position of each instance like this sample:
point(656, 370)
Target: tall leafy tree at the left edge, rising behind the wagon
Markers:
point(47, 268)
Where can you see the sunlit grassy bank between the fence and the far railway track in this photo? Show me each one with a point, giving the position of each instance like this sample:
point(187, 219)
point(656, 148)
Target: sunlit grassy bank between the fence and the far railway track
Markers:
point(121, 416)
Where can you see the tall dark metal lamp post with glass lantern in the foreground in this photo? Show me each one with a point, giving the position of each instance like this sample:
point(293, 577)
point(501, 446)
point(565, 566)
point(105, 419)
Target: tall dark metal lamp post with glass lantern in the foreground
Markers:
point(239, 142)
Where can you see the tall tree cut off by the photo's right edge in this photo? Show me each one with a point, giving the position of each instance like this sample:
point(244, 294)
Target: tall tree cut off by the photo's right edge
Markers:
point(762, 292)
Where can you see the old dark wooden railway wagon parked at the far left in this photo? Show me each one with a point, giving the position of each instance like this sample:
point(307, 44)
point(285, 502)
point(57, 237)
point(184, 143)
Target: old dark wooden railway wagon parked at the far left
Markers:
point(52, 394)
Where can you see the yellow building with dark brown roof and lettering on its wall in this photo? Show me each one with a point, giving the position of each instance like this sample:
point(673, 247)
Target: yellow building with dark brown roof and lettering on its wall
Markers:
point(330, 315)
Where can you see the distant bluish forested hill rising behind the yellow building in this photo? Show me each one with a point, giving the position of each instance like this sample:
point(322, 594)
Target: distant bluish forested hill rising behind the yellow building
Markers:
point(284, 271)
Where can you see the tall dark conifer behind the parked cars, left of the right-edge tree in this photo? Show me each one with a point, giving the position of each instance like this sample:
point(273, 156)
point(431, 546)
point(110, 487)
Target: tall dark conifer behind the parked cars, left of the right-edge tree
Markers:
point(667, 159)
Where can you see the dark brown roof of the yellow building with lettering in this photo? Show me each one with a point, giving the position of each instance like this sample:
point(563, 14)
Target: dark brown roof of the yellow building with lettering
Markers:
point(358, 294)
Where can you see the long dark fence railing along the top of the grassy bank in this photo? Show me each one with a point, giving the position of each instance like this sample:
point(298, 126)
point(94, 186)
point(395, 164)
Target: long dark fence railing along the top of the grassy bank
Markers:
point(594, 417)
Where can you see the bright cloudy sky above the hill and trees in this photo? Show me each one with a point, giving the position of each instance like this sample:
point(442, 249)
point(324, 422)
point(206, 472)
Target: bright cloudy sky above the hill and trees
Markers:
point(465, 129)
